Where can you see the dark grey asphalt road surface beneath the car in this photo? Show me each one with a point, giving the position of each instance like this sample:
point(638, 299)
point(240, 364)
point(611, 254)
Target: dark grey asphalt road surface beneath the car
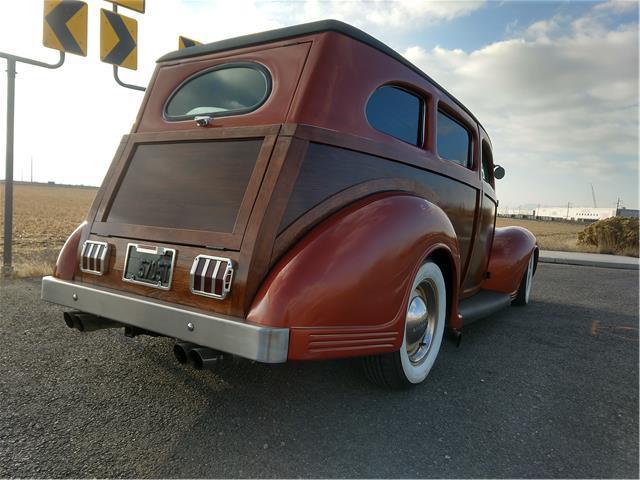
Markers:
point(549, 390)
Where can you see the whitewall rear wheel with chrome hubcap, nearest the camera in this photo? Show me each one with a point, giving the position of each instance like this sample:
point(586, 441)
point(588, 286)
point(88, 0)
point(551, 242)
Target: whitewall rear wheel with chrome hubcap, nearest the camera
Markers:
point(423, 330)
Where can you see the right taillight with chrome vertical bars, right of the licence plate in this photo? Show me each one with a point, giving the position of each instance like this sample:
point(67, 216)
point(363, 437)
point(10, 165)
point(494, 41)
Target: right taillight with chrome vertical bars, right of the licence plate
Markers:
point(211, 276)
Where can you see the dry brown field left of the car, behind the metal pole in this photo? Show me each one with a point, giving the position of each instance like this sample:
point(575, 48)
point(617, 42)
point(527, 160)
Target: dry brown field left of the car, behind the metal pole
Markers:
point(43, 218)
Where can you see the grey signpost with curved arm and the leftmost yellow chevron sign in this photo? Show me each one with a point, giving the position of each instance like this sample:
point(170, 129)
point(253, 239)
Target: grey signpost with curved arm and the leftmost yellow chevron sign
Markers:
point(65, 30)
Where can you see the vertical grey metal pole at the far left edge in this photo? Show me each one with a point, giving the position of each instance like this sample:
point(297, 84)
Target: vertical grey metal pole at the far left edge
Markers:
point(8, 182)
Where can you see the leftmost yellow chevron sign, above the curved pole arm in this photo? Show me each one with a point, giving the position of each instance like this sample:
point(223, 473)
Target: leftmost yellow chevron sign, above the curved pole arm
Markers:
point(65, 26)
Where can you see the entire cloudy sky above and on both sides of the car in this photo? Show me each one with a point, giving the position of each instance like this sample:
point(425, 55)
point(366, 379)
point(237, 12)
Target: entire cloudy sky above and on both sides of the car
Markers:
point(554, 83)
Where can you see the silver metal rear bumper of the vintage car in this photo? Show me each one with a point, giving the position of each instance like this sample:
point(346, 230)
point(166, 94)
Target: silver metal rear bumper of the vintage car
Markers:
point(220, 332)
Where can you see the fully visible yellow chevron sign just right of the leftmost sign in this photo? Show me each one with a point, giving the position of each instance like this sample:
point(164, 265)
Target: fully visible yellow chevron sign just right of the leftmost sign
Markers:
point(118, 40)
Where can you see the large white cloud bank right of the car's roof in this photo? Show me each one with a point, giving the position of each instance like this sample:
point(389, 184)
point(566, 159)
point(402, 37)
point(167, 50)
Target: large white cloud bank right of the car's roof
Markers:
point(556, 101)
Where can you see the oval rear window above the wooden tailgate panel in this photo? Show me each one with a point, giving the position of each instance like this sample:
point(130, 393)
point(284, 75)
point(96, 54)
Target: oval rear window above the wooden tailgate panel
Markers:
point(224, 90)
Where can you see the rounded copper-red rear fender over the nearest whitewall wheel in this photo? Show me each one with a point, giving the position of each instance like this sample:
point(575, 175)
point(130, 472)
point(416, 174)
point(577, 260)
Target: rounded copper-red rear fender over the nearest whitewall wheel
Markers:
point(345, 285)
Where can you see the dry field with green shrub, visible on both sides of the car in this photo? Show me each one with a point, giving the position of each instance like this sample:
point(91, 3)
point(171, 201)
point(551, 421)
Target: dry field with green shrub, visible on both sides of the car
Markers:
point(44, 215)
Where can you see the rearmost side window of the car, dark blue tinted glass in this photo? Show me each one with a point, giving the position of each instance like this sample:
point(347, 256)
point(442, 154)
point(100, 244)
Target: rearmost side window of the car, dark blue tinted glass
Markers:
point(398, 113)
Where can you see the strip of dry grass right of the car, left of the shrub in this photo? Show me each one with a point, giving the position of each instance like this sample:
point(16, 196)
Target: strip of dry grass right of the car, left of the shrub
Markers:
point(559, 236)
